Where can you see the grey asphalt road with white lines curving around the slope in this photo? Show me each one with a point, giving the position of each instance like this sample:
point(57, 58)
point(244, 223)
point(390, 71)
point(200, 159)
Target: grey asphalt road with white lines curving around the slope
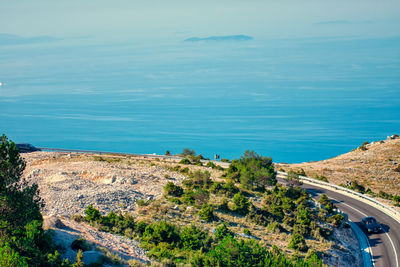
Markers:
point(386, 245)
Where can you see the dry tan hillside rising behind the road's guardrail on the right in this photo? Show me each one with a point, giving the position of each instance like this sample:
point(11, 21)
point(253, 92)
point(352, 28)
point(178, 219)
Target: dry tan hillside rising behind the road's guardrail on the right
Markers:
point(375, 165)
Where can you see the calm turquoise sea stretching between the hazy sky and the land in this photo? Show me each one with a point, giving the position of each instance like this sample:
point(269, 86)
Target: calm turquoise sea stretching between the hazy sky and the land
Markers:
point(295, 100)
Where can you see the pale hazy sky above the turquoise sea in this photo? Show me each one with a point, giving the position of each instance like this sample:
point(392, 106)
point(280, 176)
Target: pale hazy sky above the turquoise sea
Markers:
point(174, 20)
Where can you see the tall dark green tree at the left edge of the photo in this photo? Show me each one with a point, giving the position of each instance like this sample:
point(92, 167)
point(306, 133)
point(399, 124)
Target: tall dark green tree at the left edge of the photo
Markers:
point(23, 242)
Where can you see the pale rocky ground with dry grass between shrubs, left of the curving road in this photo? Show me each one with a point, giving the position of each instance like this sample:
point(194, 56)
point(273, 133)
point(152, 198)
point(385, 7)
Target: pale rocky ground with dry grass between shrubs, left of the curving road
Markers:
point(69, 183)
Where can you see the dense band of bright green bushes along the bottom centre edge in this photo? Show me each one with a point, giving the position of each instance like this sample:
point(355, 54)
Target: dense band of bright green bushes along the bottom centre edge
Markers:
point(173, 245)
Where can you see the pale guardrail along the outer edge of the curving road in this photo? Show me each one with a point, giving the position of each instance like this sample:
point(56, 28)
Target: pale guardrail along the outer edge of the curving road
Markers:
point(386, 209)
